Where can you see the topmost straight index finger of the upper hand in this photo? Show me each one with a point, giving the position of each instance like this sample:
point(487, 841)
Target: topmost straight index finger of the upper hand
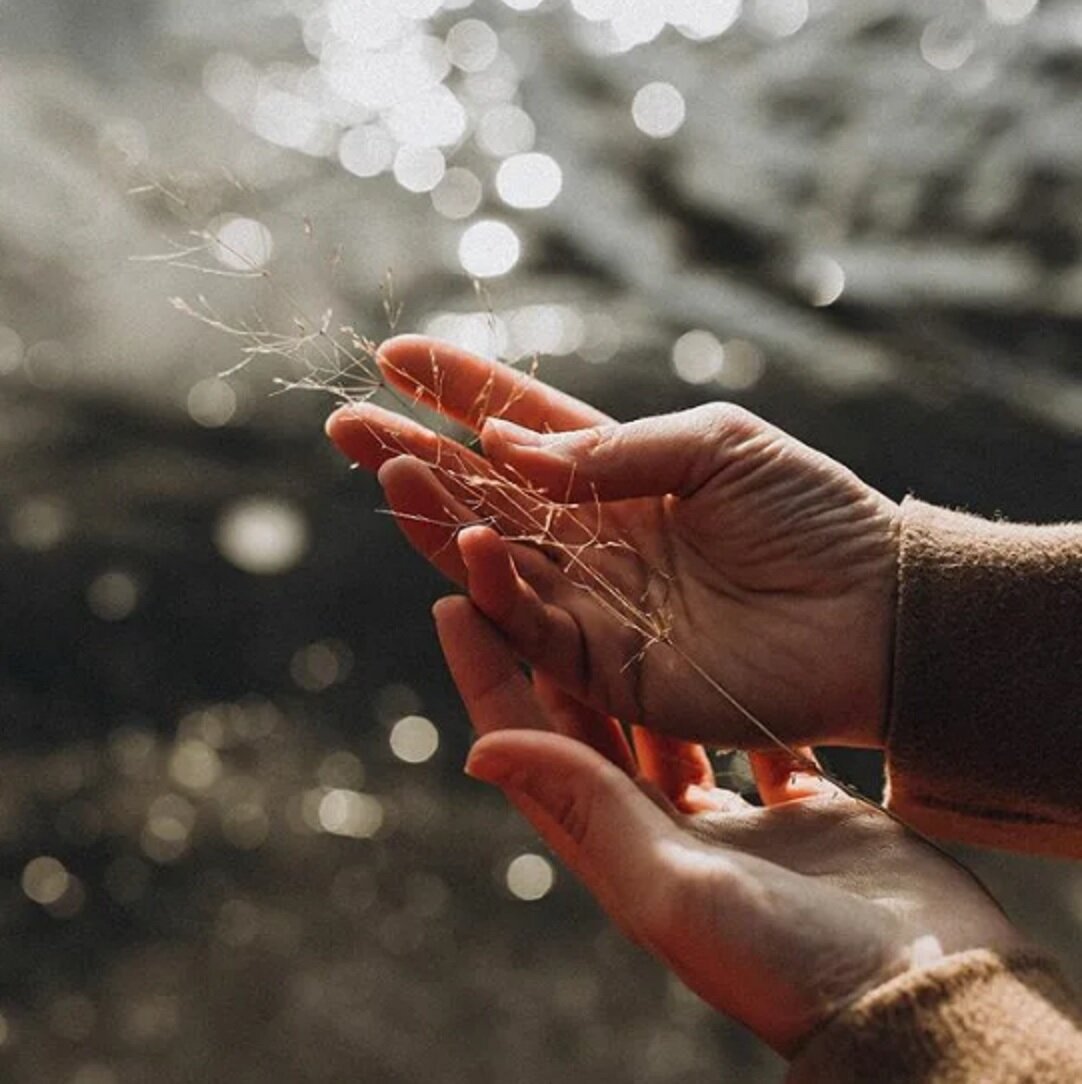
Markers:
point(472, 390)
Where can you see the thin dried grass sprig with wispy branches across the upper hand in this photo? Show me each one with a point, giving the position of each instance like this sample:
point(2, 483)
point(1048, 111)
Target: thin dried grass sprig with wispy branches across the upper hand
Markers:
point(340, 363)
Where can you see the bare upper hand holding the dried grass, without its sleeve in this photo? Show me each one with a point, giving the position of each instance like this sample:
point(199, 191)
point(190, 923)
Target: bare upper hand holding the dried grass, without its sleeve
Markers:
point(701, 544)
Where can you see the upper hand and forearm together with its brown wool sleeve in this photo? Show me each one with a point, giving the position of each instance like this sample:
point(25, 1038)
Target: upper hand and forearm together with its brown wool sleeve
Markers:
point(789, 591)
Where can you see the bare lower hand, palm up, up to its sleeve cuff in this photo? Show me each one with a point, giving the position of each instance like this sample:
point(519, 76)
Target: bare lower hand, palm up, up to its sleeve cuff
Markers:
point(778, 917)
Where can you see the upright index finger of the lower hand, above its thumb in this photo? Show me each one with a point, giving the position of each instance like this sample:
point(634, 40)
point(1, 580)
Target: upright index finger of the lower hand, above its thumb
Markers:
point(496, 692)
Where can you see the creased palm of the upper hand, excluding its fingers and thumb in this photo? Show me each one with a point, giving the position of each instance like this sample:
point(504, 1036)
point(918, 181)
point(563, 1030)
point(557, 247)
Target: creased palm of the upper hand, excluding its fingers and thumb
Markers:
point(775, 560)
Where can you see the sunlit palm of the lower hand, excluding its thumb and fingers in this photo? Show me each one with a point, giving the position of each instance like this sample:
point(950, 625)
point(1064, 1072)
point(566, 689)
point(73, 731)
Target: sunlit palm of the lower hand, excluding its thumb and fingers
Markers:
point(790, 913)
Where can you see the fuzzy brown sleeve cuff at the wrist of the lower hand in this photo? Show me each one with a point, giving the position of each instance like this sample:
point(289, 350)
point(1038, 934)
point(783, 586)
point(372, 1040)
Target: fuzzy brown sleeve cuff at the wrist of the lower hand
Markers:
point(976, 1018)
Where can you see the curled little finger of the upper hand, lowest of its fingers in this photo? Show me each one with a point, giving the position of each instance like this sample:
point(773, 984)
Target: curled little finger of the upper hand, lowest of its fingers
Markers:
point(546, 636)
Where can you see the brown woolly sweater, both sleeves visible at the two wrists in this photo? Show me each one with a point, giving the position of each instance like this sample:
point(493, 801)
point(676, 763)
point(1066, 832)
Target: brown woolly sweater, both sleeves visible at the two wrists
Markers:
point(984, 746)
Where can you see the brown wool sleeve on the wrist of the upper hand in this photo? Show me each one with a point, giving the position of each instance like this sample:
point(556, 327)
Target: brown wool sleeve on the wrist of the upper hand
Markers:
point(985, 739)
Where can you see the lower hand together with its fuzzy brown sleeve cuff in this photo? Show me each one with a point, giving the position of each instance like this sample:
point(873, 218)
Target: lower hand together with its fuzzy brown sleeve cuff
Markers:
point(818, 924)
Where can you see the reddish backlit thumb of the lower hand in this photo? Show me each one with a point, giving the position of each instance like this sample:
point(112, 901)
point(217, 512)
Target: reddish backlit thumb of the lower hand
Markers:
point(615, 838)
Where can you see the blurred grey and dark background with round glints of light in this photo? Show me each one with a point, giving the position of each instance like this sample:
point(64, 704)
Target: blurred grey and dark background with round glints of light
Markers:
point(237, 844)
